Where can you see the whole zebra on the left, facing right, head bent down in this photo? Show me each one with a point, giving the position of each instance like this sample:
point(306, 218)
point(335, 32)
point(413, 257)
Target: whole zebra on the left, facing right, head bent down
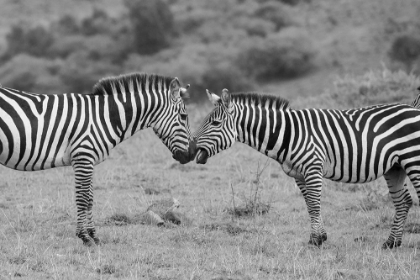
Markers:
point(40, 131)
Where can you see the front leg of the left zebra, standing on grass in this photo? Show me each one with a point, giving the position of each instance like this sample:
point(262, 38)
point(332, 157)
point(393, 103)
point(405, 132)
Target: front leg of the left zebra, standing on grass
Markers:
point(83, 171)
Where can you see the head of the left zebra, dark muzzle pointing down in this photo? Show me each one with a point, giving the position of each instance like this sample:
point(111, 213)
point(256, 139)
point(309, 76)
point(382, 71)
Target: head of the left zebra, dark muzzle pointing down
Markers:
point(172, 126)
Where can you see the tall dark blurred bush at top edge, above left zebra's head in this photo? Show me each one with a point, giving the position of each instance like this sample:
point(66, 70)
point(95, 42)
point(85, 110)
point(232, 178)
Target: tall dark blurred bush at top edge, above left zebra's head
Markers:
point(152, 25)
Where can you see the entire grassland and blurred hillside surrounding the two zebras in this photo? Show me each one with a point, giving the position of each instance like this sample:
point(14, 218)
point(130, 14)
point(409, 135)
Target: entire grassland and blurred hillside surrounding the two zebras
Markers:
point(242, 218)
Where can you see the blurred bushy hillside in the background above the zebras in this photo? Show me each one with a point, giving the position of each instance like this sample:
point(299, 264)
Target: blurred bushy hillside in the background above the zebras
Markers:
point(292, 48)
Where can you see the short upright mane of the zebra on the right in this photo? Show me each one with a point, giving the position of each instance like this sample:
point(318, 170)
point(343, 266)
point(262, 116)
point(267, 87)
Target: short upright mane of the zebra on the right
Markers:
point(261, 99)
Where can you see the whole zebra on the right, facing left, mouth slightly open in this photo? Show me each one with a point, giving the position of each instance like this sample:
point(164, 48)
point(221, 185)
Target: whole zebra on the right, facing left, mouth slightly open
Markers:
point(352, 146)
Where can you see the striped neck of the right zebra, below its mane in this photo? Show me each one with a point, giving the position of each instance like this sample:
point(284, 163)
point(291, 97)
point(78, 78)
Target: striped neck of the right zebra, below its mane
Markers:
point(265, 129)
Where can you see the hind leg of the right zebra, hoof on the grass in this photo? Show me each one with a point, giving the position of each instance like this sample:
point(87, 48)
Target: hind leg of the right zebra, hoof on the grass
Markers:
point(395, 179)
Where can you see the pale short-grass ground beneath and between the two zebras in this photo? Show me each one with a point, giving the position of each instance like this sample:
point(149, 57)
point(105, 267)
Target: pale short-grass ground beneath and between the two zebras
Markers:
point(37, 222)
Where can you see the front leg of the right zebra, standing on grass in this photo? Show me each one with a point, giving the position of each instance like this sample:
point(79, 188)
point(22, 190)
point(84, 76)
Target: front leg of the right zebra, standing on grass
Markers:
point(313, 180)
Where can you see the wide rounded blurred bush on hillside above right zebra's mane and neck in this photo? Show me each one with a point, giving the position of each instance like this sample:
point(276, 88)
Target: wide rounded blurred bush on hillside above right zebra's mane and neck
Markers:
point(287, 54)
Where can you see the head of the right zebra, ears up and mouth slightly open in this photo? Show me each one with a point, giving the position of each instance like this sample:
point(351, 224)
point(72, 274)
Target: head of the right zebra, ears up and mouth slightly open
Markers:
point(218, 131)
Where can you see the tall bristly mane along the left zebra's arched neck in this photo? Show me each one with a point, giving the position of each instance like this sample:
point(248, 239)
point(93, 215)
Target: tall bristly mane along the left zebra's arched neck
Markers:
point(110, 84)
